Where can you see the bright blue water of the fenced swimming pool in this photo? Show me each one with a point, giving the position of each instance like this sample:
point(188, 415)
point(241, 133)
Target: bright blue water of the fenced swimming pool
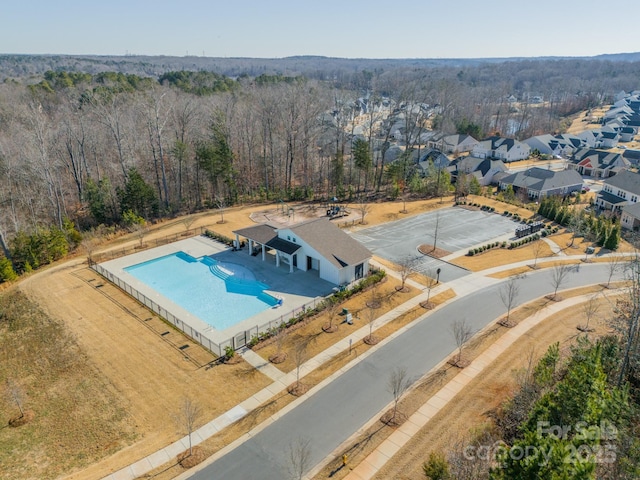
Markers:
point(219, 294)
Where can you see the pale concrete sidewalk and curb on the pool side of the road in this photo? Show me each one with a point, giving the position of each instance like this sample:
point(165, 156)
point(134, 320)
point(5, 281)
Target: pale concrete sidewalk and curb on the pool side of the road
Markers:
point(461, 286)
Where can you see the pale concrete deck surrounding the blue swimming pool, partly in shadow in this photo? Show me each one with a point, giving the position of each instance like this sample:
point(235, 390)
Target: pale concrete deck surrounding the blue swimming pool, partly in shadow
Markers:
point(296, 289)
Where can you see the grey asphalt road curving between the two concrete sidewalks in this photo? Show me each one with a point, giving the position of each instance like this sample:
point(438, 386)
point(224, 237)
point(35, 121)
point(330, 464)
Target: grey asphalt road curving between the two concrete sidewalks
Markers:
point(334, 413)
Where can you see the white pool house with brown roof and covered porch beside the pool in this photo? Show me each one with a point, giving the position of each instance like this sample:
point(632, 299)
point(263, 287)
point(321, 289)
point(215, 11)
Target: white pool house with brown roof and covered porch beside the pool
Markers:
point(313, 245)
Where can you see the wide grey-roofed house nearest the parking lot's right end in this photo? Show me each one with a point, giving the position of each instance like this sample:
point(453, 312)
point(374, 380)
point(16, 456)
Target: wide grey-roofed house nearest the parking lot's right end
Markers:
point(537, 182)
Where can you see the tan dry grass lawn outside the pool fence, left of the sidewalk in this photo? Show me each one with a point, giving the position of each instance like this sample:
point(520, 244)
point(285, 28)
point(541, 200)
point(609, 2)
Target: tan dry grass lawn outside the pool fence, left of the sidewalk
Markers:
point(145, 373)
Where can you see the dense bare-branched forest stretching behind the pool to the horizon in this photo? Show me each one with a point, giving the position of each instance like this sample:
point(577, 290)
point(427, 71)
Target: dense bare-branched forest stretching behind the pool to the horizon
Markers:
point(82, 146)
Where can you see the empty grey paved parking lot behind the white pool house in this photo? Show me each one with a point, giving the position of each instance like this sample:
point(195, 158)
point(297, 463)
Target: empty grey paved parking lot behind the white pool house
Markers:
point(458, 229)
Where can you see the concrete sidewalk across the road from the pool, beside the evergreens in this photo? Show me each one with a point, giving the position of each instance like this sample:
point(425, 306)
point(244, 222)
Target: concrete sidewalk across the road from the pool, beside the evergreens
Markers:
point(376, 460)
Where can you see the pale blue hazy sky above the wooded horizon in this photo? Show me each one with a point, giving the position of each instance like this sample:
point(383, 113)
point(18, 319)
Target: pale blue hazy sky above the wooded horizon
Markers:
point(333, 28)
